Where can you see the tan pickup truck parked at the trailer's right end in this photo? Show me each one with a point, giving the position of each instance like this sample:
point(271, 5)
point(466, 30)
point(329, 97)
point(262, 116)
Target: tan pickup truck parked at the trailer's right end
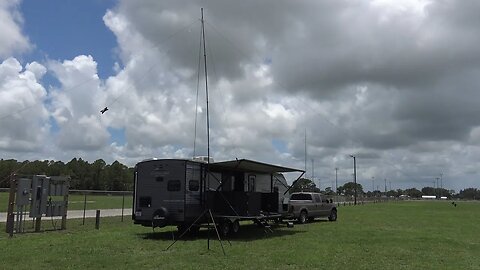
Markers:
point(306, 206)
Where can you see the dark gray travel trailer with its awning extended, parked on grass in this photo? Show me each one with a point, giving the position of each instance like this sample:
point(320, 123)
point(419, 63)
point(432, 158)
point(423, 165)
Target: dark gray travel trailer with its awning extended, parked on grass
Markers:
point(177, 192)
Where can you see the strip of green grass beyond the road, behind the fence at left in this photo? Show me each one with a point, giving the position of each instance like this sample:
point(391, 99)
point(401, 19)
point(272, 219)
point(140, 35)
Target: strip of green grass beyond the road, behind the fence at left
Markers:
point(76, 202)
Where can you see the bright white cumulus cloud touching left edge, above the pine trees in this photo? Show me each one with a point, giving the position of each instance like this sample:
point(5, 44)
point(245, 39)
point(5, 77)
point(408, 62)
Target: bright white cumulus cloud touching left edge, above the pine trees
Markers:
point(22, 112)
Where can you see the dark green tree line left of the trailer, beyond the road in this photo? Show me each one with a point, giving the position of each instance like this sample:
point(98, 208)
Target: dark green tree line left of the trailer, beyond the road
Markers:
point(97, 175)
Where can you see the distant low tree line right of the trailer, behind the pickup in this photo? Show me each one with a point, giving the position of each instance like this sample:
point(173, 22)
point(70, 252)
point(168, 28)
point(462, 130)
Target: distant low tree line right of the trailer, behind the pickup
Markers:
point(348, 189)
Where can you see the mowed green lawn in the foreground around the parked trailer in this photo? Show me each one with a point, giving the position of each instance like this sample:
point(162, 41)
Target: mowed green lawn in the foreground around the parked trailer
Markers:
point(394, 235)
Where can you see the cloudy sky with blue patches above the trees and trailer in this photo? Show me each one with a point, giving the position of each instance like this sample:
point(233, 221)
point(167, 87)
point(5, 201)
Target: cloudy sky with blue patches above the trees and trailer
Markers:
point(296, 83)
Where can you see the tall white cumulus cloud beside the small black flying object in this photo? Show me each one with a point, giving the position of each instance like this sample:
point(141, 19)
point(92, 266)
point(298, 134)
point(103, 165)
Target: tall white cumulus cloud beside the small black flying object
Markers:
point(75, 105)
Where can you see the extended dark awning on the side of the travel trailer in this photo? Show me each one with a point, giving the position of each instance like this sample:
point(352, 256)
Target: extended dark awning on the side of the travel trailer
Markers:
point(250, 166)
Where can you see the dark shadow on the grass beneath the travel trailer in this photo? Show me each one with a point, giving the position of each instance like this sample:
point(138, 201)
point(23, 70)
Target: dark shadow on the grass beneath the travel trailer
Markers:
point(247, 232)
